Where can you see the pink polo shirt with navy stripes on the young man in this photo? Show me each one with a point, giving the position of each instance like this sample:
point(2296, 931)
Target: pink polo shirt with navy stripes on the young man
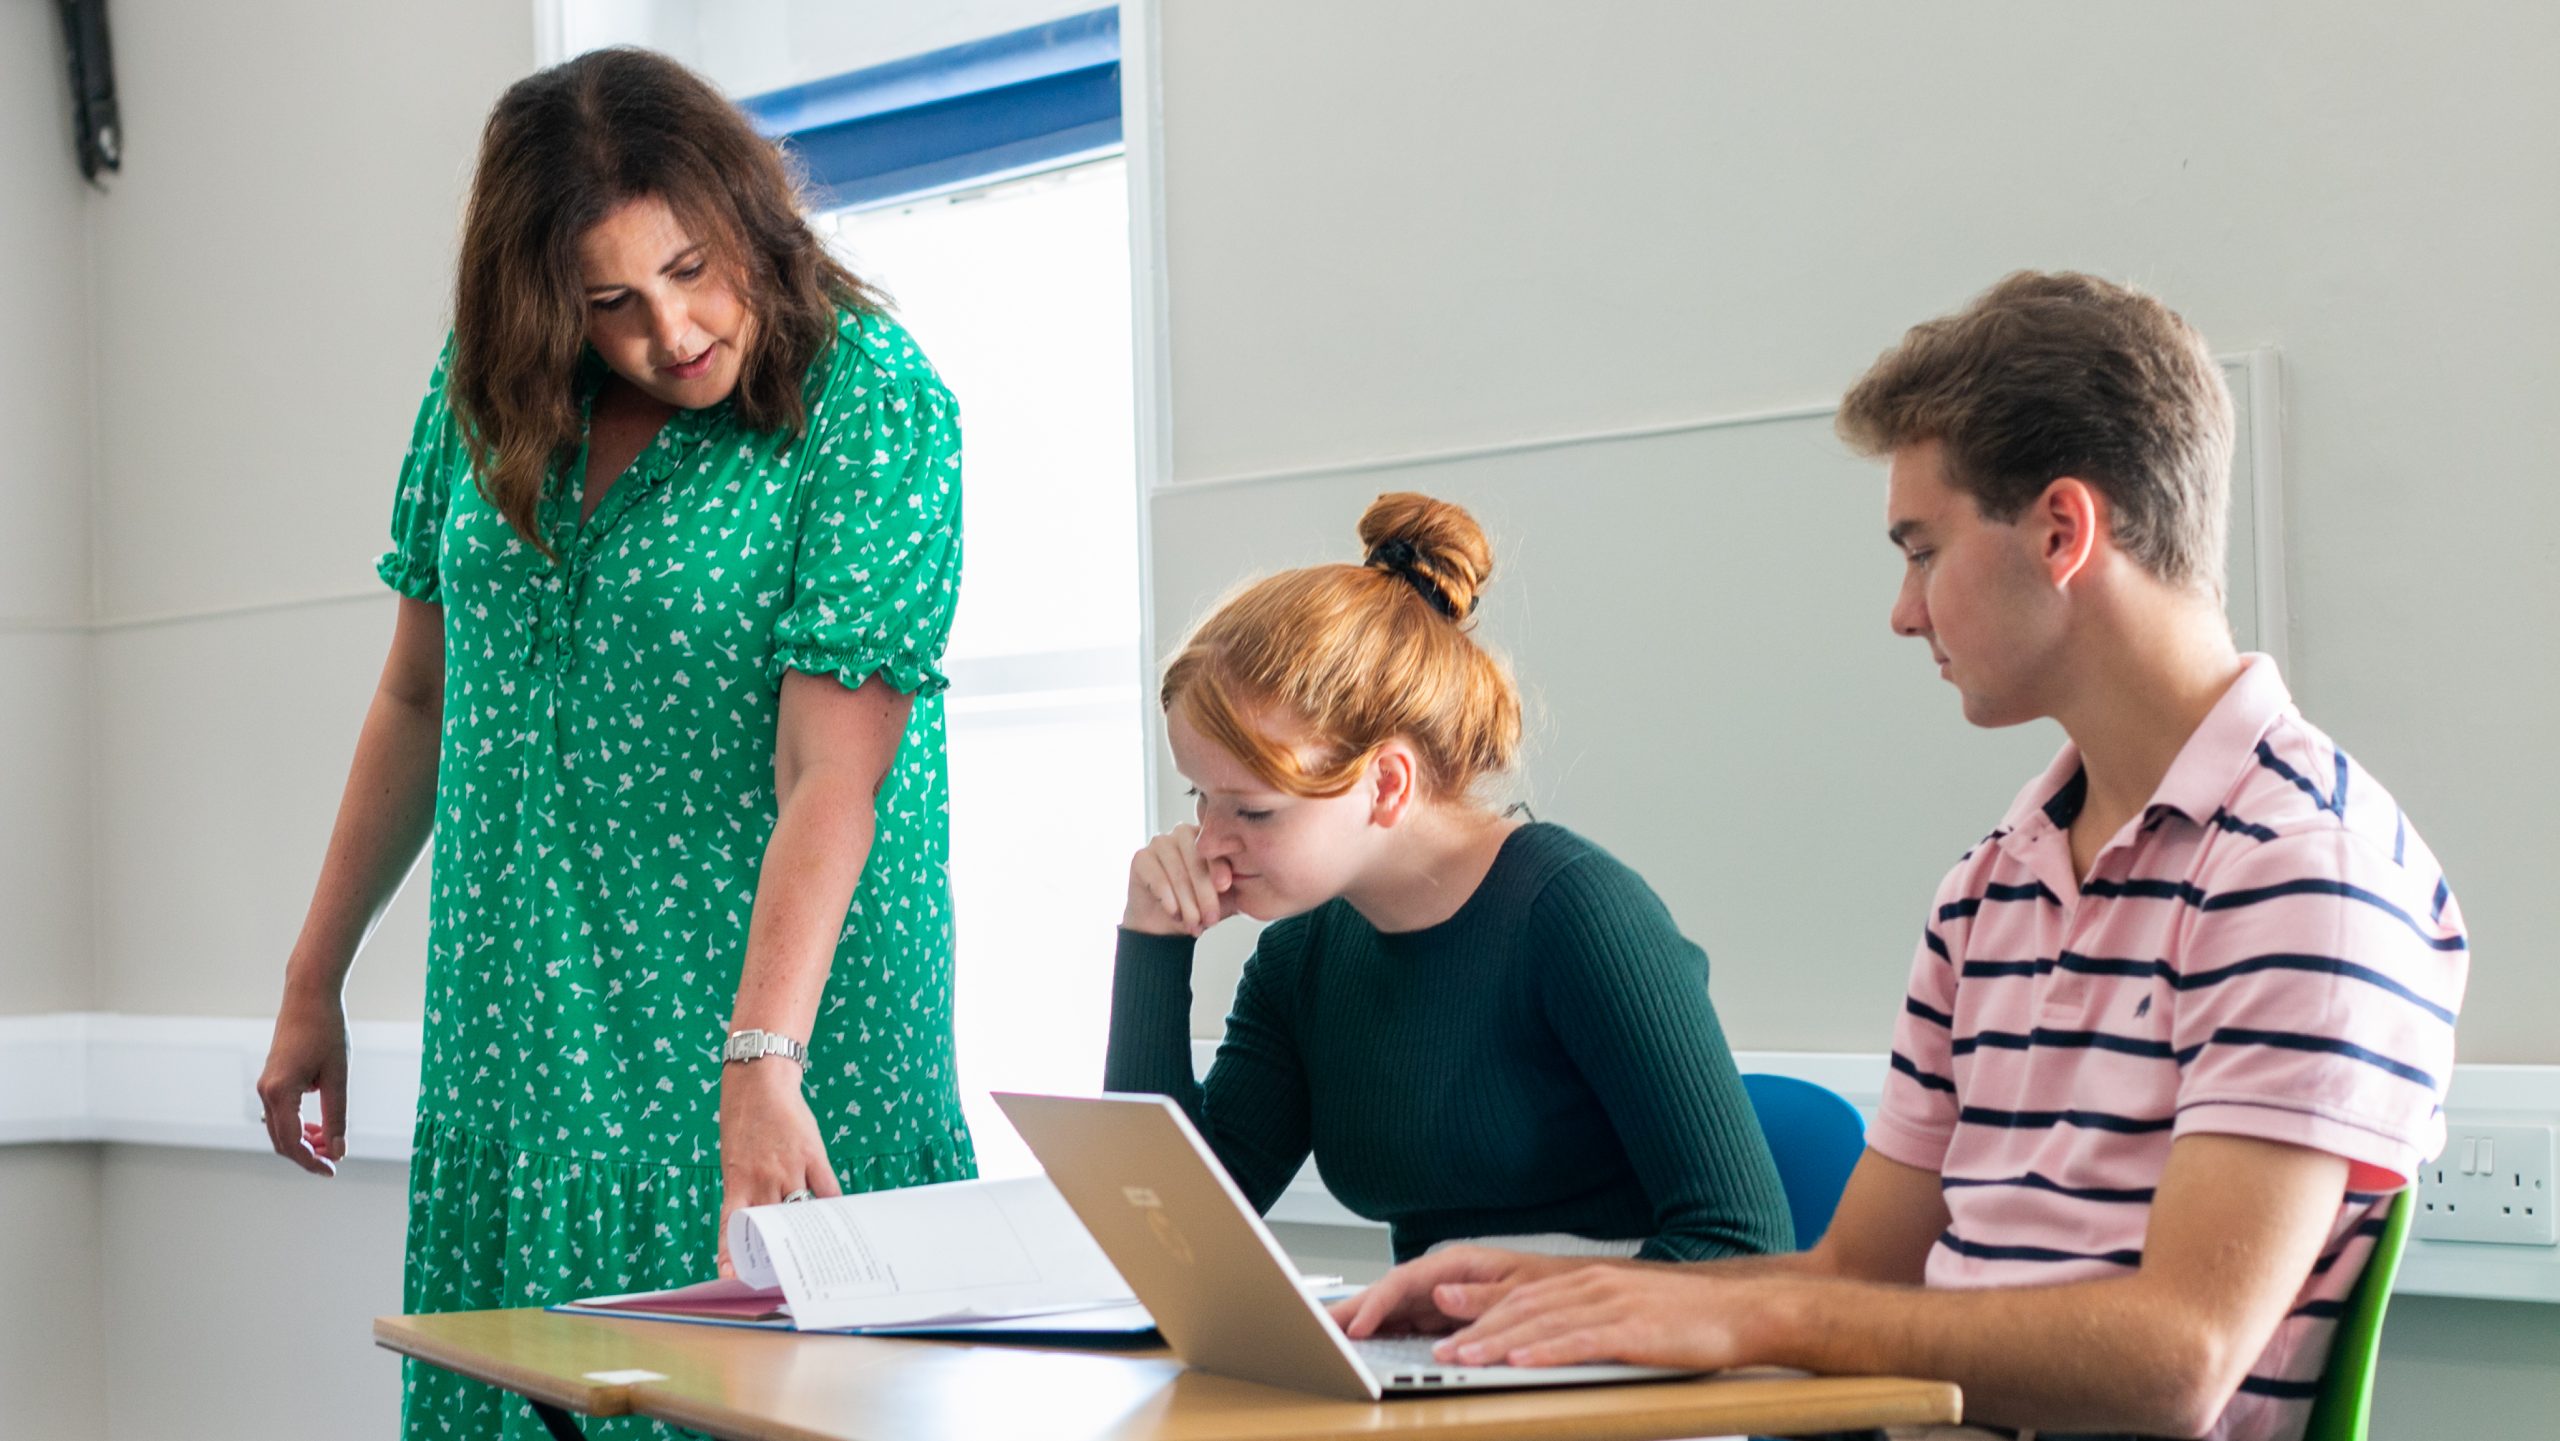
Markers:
point(2267, 951)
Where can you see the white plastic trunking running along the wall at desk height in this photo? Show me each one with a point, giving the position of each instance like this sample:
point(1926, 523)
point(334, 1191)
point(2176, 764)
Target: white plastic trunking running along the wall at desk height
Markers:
point(188, 1081)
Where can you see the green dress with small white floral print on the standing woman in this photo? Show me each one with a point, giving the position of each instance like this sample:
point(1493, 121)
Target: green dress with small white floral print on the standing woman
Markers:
point(603, 805)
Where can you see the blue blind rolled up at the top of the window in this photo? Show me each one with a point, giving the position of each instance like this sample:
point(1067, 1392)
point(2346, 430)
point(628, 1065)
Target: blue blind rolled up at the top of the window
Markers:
point(954, 116)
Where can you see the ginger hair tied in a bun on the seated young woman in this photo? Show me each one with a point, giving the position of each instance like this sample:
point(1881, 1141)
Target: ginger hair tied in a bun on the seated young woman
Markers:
point(1356, 657)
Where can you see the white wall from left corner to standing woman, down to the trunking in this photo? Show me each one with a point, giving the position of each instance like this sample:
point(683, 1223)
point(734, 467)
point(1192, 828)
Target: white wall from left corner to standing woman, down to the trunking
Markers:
point(273, 283)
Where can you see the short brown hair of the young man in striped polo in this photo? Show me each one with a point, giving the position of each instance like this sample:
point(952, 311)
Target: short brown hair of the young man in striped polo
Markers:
point(2067, 375)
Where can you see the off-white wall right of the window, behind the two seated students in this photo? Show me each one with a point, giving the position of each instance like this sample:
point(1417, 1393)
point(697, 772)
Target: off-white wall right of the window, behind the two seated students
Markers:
point(1458, 224)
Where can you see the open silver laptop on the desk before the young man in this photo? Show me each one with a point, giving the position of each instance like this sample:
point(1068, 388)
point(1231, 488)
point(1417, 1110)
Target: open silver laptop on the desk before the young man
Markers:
point(1217, 1284)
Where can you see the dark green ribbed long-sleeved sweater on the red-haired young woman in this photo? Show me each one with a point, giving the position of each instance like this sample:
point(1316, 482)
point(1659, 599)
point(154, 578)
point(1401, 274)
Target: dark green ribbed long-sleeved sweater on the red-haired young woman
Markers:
point(1542, 1061)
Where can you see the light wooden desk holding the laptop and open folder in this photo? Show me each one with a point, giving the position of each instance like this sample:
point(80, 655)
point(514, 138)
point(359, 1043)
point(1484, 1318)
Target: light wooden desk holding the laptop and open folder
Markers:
point(764, 1386)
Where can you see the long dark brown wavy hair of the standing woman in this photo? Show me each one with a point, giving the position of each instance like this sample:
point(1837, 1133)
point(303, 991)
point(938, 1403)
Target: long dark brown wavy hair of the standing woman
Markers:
point(564, 150)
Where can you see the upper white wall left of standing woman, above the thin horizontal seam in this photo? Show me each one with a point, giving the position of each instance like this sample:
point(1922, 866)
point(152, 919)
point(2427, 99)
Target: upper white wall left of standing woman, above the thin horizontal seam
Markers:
point(273, 280)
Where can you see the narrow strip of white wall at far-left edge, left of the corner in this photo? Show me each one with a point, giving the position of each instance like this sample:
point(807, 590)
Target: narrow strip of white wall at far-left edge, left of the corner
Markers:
point(50, 1348)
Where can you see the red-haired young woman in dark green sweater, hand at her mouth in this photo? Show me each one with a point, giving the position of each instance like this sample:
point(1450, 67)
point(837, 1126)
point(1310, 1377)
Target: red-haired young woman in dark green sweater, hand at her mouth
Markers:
point(1478, 1028)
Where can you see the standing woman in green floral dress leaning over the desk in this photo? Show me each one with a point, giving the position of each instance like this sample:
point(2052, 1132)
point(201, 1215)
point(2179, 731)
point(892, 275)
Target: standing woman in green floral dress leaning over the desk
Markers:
point(677, 546)
